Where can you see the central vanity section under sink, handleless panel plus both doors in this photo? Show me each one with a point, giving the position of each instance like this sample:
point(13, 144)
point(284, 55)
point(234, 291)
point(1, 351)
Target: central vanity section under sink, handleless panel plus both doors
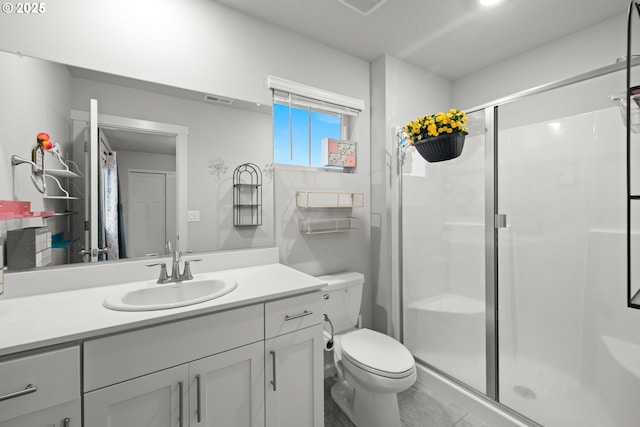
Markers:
point(150, 377)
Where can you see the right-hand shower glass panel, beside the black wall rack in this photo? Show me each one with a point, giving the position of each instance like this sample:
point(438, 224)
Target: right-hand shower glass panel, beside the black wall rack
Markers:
point(562, 259)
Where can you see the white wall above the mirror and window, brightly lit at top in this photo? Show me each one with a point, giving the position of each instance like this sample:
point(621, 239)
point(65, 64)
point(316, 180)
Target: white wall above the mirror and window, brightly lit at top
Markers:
point(194, 44)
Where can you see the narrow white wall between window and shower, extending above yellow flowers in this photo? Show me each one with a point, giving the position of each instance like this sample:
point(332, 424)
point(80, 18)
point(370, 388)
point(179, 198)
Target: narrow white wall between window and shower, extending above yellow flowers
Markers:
point(400, 93)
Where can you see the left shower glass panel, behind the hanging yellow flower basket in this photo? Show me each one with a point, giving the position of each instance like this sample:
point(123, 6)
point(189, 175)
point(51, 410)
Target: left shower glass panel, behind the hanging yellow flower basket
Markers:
point(443, 244)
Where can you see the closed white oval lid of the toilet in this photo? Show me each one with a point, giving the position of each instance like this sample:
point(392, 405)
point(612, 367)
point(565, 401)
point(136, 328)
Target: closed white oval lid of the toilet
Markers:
point(377, 353)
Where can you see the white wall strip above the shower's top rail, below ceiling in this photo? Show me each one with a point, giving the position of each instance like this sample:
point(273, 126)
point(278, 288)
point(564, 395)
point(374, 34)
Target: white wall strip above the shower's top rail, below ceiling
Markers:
point(580, 52)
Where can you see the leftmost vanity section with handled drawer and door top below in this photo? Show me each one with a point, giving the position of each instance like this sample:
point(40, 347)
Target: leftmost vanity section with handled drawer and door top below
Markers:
point(41, 390)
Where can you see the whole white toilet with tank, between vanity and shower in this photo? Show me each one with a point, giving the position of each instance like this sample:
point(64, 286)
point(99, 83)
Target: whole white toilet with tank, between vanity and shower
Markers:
point(372, 367)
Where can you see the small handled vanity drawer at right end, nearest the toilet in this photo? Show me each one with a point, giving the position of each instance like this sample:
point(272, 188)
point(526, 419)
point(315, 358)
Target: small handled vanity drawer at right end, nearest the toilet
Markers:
point(290, 314)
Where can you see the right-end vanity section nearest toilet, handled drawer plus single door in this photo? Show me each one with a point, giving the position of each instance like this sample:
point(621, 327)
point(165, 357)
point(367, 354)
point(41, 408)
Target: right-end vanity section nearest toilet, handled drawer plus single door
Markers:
point(293, 352)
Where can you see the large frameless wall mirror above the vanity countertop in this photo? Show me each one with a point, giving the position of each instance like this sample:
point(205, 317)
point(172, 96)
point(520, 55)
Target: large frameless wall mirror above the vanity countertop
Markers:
point(166, 160)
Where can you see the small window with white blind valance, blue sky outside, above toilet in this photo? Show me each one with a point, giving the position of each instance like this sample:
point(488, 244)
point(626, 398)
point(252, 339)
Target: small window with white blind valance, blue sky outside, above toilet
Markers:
point(303, 116)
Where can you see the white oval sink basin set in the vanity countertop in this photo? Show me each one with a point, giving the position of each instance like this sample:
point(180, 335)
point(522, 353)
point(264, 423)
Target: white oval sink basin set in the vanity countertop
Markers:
point(170, 295)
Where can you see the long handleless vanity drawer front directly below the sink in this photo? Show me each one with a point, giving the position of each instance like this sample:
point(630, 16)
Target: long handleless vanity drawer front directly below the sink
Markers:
point(120, 357)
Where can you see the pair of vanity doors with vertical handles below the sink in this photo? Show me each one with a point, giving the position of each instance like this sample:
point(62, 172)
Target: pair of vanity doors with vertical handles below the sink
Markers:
point(214, 391)
